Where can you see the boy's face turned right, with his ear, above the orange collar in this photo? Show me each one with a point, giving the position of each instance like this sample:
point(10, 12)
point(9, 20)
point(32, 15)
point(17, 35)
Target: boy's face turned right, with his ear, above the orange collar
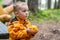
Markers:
point(22, 11)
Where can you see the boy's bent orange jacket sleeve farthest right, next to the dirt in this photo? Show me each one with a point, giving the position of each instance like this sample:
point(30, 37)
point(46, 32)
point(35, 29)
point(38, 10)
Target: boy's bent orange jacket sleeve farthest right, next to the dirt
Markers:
point(33, 30)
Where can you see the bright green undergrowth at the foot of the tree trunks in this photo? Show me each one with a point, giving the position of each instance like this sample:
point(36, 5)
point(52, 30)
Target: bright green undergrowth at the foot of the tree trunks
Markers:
point(45, 15)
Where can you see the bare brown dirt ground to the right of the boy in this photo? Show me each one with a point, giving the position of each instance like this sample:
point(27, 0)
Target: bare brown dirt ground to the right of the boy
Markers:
point(47, 31)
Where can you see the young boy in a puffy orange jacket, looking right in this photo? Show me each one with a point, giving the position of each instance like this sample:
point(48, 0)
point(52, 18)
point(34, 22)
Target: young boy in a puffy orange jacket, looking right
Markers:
point(20, 28)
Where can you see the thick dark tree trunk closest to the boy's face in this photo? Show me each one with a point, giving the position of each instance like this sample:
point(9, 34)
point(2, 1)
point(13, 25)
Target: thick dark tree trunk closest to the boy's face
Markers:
point(33, 5)
